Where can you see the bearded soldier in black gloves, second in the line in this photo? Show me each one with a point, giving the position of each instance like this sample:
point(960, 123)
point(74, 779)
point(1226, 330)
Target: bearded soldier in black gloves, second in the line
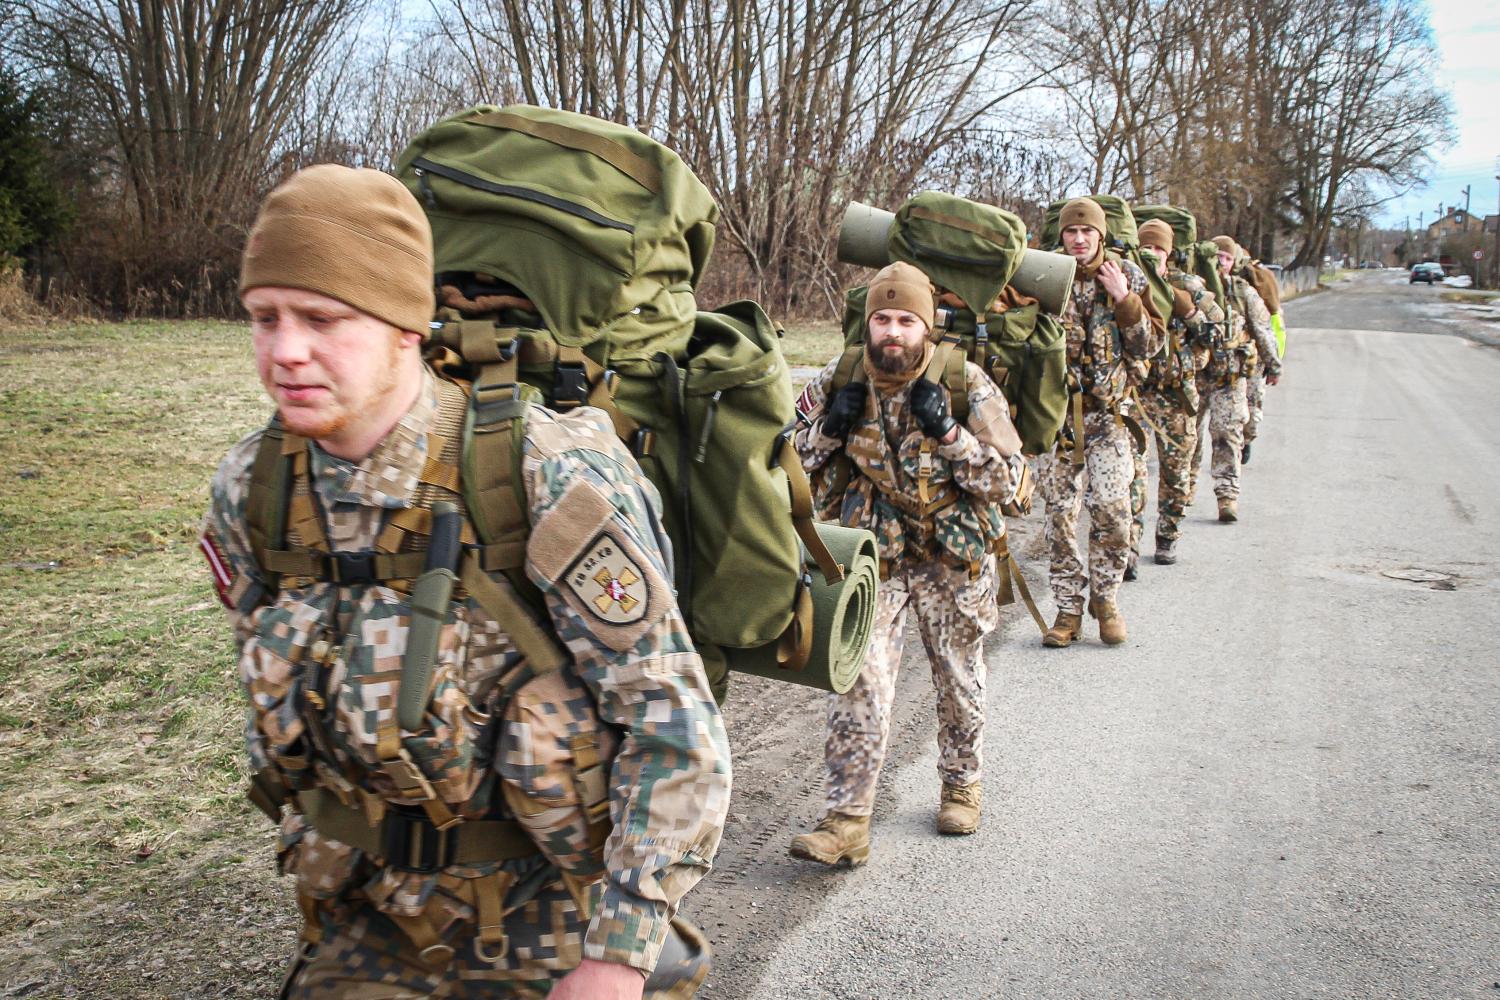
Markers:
point(889, 457)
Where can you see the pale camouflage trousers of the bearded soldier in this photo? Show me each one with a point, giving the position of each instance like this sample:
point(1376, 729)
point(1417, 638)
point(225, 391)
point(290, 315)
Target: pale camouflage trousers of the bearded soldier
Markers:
point(955, 614)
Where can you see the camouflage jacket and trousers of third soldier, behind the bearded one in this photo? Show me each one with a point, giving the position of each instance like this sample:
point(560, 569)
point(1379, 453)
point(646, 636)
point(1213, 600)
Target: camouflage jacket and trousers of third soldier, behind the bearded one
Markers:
point(1103, 341)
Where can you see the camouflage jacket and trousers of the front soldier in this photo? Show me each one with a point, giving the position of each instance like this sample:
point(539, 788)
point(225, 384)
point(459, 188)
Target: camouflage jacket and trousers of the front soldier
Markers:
point(670, 782)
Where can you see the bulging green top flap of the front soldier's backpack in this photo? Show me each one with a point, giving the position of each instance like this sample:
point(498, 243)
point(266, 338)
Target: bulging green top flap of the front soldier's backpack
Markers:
point(601, 226)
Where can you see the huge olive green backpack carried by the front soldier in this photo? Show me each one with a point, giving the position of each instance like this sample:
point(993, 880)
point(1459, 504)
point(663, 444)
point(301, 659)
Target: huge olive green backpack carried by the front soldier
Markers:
point(568, 250)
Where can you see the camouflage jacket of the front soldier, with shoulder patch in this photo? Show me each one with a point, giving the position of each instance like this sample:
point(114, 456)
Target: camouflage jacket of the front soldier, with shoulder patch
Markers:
point(670, 785)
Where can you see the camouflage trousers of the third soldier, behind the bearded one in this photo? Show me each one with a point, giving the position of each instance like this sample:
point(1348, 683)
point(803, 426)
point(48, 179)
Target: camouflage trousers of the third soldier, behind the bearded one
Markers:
point(1102, 485)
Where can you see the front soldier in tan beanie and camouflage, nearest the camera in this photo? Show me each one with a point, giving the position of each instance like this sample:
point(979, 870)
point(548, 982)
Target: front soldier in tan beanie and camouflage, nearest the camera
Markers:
point(413, 876)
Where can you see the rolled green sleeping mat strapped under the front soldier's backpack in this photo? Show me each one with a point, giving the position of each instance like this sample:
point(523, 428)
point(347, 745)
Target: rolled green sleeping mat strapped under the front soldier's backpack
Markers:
point(844, 617)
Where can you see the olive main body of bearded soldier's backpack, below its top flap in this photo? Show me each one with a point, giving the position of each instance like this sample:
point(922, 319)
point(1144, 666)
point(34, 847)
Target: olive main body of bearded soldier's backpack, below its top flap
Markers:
point(1024, 350)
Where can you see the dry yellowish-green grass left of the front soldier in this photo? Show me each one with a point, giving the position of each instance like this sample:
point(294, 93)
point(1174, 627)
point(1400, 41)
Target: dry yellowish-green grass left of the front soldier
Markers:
point(119, 716)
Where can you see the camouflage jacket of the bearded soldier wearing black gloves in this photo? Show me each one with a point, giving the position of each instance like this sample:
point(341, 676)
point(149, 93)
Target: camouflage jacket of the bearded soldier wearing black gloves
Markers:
point(965, 482)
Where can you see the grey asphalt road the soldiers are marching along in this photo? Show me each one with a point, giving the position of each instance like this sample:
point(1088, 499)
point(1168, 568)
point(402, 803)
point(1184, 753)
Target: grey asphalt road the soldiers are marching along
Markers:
point(1285, 785)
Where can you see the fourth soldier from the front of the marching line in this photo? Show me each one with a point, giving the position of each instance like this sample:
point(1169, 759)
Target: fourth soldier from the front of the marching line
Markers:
point(1169, 394)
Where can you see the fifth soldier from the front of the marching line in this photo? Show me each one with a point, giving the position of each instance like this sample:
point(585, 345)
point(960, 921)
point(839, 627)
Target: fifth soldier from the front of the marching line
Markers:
point(1223, 386)
